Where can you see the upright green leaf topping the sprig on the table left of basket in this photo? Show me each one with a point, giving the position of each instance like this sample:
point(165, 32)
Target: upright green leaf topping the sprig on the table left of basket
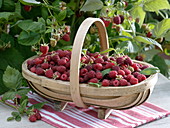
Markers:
point(12, 78)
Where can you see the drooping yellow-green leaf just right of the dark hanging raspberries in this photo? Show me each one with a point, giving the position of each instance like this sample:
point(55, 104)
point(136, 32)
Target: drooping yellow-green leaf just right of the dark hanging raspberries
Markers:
point(138, 12)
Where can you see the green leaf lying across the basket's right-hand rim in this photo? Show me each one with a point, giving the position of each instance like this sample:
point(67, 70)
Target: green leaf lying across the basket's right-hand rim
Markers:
point(150, 71)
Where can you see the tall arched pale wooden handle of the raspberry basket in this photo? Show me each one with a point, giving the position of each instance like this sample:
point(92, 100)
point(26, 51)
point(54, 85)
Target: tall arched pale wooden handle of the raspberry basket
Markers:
point(76, 54)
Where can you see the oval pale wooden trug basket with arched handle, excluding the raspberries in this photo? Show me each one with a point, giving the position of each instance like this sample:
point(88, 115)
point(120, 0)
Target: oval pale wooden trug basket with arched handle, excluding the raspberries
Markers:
point(84, 95)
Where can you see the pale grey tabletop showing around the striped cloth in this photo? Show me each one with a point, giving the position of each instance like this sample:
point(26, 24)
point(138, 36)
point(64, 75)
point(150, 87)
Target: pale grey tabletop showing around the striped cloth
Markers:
point(160, 97)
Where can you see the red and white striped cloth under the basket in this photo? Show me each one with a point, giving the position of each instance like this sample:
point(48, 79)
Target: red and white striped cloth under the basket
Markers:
point(74, 117)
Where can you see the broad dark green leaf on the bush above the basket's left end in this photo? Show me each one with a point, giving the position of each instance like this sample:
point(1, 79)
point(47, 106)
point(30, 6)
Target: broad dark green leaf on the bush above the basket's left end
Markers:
point(28, 38)
